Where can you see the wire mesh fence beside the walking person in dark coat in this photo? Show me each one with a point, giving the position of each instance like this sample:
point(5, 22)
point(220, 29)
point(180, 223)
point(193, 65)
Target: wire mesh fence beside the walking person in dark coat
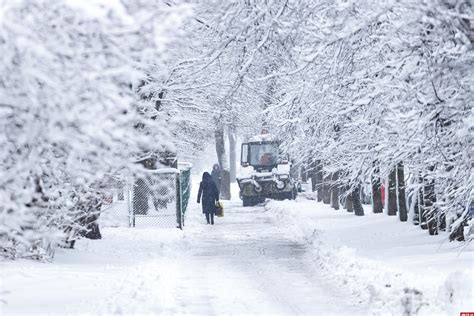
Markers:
point(157, 199)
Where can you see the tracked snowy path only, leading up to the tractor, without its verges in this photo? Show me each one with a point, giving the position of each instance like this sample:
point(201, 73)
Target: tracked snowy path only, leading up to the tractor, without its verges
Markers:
point(248, 264)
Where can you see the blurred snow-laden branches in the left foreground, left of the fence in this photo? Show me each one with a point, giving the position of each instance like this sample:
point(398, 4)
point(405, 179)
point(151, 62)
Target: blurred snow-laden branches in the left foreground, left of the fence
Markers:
point(70, 118)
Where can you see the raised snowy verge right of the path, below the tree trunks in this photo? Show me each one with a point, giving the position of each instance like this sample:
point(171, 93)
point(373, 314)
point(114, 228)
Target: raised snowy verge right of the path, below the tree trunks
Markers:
point(396, 268)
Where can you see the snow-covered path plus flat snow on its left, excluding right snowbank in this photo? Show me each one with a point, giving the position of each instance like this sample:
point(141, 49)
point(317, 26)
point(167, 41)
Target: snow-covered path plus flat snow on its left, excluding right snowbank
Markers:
point(248, 263)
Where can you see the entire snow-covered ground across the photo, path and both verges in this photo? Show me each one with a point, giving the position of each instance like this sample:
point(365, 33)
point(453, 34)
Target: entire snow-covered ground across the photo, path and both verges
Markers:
point(290, 257)
